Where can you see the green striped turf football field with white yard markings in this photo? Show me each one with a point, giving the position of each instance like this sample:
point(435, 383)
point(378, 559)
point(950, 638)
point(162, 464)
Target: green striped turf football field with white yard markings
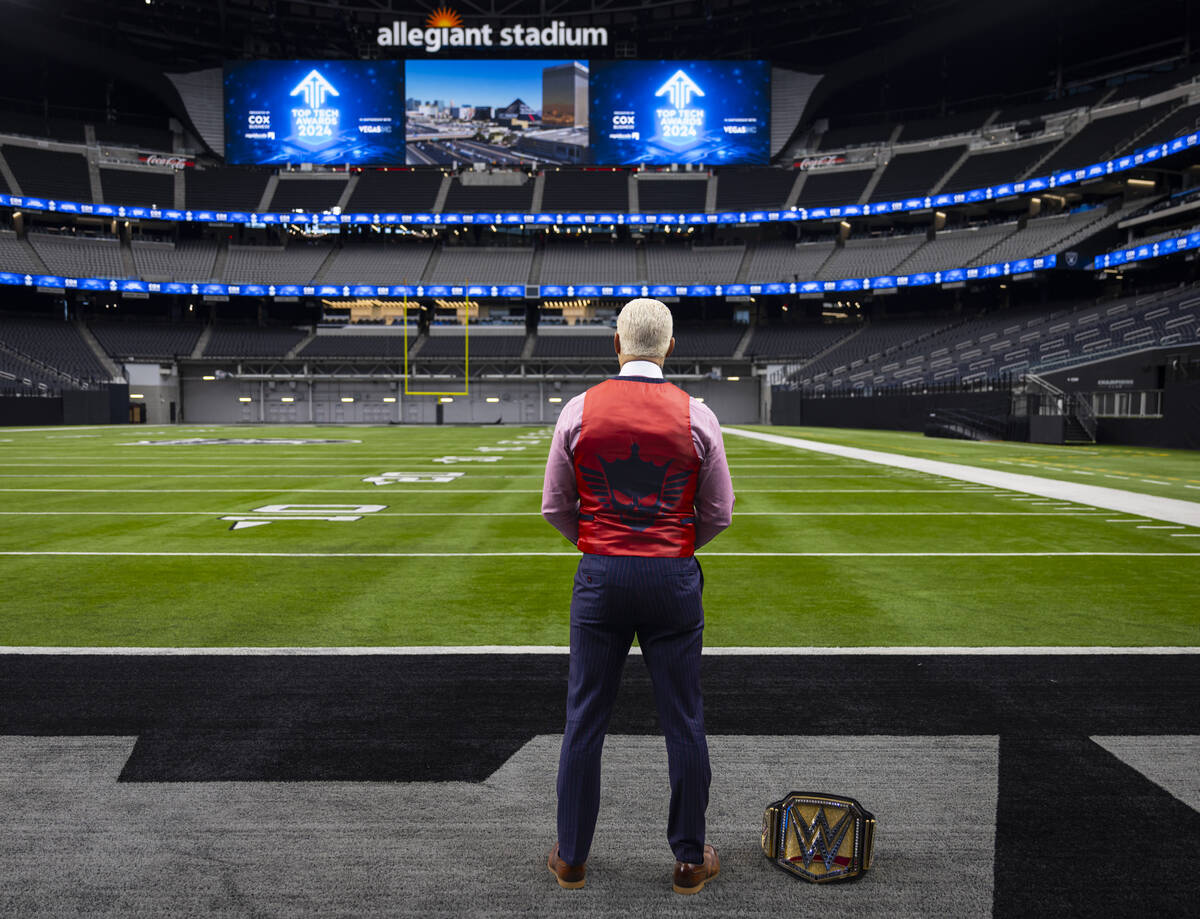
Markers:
point(110, 542)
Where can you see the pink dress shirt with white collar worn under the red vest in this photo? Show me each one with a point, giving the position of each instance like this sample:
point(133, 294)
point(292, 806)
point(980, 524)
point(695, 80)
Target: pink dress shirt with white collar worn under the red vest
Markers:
point(715, 490)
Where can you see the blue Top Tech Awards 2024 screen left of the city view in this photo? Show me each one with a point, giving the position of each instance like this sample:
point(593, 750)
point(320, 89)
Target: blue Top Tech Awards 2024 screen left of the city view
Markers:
point(315, 112)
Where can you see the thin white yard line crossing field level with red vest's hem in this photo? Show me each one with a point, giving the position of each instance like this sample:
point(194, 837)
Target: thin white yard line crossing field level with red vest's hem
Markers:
point(92, 554)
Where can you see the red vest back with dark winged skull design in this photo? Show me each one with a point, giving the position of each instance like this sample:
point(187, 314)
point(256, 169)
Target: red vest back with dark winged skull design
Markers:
point(637, 470)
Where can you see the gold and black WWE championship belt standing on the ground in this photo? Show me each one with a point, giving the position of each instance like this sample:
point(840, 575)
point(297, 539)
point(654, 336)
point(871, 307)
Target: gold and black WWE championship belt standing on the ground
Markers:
point(819, 837)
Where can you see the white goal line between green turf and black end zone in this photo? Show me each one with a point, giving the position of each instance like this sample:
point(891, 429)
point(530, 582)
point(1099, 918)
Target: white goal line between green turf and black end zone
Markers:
point(562, 650)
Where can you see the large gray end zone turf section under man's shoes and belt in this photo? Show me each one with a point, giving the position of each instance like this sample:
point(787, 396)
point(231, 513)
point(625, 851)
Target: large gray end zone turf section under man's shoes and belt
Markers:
point(76, 842)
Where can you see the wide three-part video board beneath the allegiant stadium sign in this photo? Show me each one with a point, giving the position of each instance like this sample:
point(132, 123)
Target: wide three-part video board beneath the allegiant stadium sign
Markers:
point(553, 112)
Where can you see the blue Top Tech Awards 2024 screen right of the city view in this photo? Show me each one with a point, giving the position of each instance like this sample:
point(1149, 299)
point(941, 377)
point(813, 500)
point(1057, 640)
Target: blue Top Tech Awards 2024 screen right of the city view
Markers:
point(680, 112)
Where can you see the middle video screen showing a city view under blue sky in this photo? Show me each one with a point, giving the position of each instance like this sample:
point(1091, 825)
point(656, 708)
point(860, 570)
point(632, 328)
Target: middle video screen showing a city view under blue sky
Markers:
point(505, 112)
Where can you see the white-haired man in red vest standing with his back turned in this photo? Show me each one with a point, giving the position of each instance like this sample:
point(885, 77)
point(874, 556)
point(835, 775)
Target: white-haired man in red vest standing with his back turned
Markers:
point(638, 479)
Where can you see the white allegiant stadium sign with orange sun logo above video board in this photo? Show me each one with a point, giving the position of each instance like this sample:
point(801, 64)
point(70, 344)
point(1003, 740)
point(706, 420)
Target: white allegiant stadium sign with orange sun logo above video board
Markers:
point(445, 29)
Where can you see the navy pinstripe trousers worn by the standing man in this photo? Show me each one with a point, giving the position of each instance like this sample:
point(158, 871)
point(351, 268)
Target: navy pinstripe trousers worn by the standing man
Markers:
point(658, 600)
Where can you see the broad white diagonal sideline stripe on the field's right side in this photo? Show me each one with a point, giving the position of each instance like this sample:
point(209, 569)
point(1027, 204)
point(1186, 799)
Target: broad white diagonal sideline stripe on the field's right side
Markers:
point(1172, 510)
